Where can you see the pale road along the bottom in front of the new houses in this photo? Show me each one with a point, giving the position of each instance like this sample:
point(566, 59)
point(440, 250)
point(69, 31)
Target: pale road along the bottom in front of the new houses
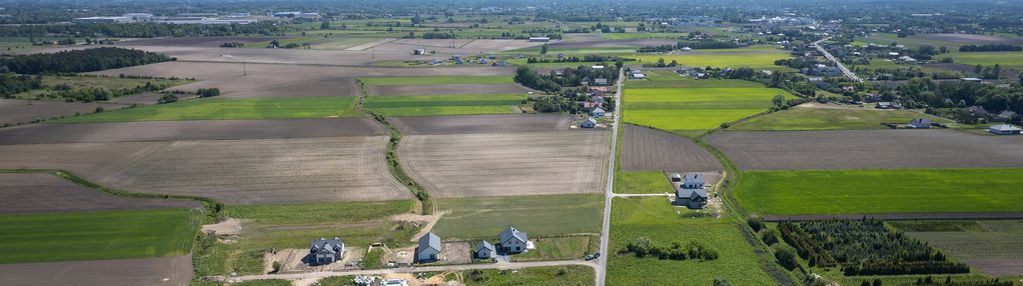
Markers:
point(326, 274)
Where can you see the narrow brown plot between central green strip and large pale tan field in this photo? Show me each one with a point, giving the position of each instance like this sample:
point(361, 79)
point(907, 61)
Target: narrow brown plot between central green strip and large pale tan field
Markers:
point(481, 124)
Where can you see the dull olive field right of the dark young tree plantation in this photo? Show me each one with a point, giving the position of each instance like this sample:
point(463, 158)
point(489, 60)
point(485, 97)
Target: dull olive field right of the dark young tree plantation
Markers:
point(992, 247)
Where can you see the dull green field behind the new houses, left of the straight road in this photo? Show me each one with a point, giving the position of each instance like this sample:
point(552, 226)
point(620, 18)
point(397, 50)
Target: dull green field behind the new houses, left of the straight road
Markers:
point(539, 216)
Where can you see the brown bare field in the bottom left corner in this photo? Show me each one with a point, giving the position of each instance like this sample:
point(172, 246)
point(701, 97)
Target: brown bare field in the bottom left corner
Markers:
point(160, 271)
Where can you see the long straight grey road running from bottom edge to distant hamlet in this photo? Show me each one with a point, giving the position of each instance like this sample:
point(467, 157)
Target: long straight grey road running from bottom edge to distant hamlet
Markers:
point(609, 195)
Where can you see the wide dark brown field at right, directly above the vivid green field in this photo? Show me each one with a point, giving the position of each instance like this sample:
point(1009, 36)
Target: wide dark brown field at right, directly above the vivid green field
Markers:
point(862, 150)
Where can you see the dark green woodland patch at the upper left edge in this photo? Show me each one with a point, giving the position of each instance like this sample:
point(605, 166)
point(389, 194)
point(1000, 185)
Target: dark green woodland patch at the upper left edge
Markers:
point(81, 61)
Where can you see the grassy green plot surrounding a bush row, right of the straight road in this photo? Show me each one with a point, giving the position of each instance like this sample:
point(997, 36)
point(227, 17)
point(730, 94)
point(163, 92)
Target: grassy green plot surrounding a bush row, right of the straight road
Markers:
point(655, 219)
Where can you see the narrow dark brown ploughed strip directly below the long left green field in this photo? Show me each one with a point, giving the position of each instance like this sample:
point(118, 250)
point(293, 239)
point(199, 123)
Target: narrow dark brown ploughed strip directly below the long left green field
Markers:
point(190, 130)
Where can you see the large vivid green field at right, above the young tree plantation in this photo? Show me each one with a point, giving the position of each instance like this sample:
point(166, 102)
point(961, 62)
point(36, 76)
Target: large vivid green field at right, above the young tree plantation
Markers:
point(880, 192)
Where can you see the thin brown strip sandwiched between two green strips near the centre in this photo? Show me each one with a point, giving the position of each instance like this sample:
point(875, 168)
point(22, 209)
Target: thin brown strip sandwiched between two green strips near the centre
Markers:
point(448, 89)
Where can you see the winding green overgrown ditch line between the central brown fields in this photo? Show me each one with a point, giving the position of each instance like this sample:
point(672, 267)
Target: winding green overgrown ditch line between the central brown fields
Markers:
point(394, 165)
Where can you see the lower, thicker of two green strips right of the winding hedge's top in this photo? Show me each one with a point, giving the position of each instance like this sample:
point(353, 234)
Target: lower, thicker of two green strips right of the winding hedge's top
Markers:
point(446, 105)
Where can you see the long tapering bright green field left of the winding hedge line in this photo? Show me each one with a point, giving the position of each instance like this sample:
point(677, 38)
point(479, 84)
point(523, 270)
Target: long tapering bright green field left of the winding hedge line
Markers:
point(228, 109)
